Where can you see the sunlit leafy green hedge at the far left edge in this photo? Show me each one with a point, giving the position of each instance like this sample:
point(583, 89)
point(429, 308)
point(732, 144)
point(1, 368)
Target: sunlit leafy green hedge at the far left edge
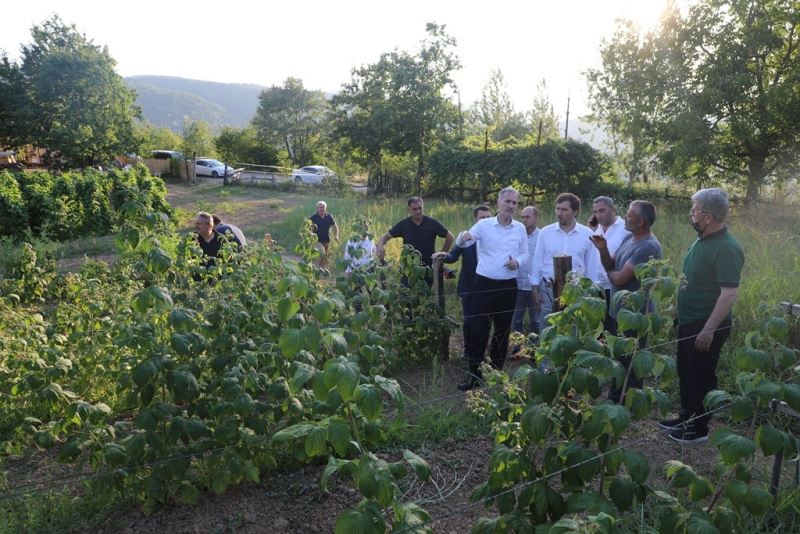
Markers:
point(74, 204)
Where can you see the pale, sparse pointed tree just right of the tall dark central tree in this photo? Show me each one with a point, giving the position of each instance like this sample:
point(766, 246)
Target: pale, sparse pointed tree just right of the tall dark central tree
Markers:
point(494, 113)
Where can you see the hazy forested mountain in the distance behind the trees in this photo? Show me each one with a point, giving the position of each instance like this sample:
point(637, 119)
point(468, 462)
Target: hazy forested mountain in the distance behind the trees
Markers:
point(166, 101)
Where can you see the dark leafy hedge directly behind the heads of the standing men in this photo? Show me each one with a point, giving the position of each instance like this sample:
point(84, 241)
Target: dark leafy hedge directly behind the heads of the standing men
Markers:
point(552, 167)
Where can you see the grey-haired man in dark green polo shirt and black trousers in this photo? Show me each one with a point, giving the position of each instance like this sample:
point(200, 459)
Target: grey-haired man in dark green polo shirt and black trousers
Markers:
point(713, 269)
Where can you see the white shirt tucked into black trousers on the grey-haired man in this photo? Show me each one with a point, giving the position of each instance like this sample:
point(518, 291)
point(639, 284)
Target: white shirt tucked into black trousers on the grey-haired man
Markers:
point(496, 243)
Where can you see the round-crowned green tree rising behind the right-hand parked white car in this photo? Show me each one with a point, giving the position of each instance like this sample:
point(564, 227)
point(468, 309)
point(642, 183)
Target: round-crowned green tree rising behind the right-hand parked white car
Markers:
point(292, 116)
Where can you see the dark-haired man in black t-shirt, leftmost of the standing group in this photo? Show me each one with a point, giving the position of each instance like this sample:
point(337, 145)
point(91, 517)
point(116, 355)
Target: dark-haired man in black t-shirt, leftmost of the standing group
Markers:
point(419, 231)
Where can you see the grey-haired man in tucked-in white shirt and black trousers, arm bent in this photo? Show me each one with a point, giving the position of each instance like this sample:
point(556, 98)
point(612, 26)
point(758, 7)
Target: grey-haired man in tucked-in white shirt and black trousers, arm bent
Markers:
point(502, 251)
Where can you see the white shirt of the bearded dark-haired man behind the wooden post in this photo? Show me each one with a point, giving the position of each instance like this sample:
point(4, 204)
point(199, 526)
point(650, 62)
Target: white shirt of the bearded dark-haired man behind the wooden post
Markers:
point(553, 241)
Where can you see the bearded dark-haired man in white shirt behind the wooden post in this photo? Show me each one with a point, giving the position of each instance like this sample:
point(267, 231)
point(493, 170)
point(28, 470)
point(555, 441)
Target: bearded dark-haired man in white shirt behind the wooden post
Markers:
point(564, 237)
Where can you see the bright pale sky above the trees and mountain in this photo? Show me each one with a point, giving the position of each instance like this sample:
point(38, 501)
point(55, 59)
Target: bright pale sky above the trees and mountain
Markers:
point(321, 42)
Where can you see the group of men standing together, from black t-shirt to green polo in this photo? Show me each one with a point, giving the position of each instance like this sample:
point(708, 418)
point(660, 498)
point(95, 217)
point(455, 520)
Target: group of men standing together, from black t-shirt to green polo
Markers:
point(507, 272)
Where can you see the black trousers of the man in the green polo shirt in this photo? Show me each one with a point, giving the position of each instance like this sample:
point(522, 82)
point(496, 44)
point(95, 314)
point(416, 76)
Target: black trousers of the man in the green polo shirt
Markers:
point(697, 370)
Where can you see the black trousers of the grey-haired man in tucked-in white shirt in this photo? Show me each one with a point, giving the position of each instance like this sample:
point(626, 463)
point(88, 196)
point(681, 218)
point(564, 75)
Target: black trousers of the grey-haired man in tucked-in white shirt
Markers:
point(492, 308)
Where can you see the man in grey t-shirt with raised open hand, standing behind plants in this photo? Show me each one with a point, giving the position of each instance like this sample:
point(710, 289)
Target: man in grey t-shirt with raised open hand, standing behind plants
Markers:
point(639, 247)
